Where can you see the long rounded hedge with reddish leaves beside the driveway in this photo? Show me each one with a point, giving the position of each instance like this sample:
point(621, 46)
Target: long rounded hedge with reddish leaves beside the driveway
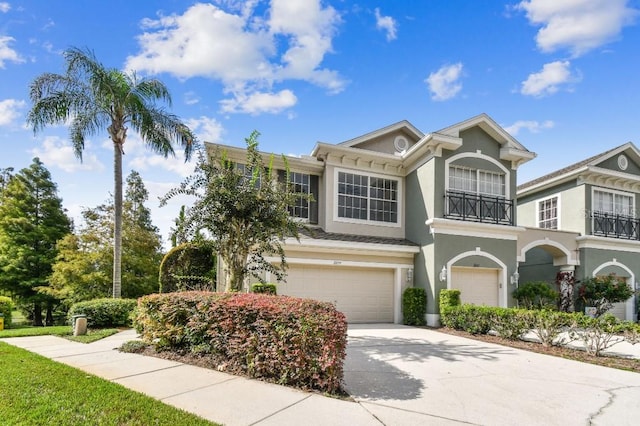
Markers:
point(295, 342)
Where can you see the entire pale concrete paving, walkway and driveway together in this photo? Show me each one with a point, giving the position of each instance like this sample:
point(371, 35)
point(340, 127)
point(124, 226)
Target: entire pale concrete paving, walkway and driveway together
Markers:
point(397, 375)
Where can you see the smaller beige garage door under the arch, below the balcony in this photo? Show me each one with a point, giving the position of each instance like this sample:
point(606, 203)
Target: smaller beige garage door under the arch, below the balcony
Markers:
point(478, 286)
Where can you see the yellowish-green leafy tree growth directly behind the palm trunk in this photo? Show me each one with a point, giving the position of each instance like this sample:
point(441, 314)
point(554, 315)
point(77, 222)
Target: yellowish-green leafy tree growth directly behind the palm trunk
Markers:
point(85, 260)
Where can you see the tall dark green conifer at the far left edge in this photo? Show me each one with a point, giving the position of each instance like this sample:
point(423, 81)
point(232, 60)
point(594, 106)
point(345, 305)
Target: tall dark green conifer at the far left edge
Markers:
point(32, 221)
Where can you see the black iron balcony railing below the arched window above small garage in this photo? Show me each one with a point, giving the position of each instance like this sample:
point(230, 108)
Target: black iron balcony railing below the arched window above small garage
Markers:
point(478, 208)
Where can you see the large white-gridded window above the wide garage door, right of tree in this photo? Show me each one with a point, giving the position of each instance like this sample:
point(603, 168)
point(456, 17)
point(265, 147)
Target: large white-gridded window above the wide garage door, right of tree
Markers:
point(365, 197)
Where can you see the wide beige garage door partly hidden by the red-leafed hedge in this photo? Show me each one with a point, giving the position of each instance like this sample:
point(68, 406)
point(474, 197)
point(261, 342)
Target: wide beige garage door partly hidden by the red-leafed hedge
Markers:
point(363, 295)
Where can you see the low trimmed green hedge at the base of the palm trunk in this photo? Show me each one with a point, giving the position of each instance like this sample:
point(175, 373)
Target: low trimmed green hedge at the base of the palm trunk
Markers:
point(105, 312)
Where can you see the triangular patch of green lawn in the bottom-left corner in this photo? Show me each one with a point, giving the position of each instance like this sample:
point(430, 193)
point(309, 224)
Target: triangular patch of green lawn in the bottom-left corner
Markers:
point(38, 391)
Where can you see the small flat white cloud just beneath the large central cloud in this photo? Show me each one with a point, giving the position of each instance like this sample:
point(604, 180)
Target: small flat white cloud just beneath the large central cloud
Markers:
point(258, 103)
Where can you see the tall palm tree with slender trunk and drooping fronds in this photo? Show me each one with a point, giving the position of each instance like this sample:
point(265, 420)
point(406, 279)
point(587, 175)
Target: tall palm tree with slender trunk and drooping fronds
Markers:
point(90, 97)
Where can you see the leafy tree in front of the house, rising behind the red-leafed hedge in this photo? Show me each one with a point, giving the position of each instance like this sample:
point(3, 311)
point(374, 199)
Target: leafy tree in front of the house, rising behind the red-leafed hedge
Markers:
point(244, 210)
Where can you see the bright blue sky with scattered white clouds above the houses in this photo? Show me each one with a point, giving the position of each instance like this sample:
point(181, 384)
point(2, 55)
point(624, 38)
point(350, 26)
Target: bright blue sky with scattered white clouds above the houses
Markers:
point(561, 76)
